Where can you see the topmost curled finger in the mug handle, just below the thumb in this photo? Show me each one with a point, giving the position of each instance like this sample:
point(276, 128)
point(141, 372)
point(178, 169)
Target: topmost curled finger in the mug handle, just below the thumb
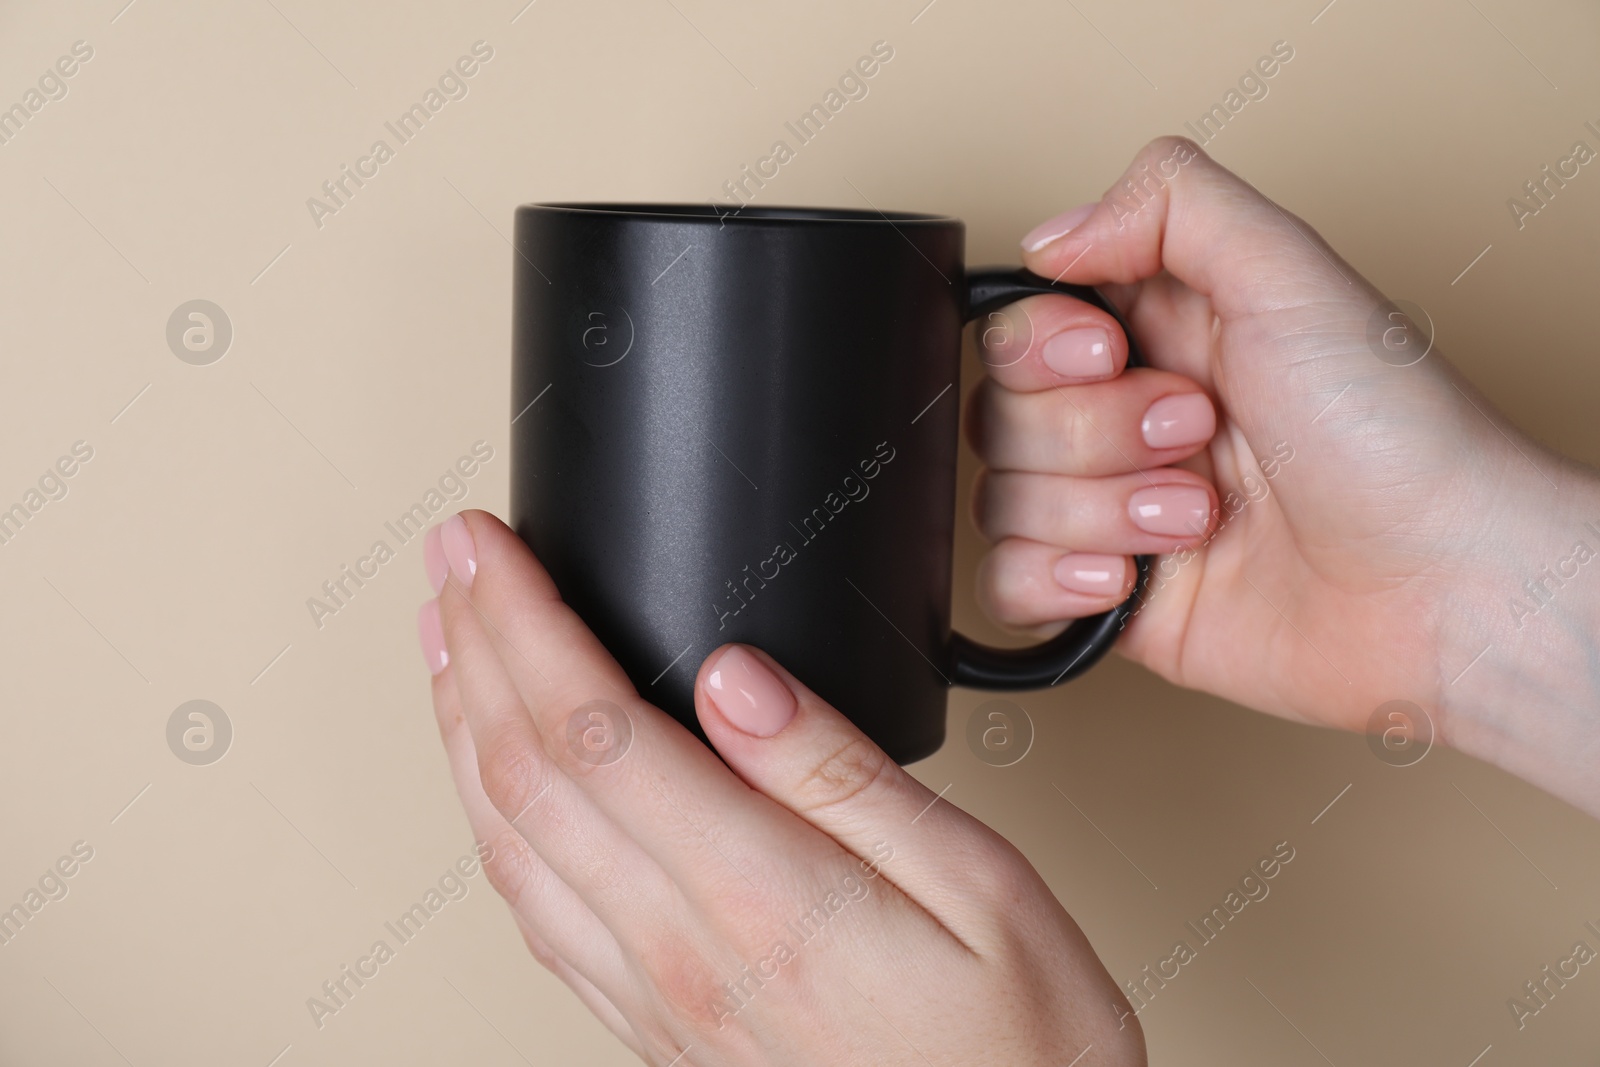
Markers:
point(1047, 342)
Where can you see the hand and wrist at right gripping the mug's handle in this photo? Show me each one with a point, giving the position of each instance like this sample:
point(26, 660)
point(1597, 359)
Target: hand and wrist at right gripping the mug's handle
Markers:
point(1380, 522)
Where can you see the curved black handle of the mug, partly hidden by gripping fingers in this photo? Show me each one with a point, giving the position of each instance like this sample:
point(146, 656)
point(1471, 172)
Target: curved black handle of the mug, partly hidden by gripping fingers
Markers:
point(1086, 641)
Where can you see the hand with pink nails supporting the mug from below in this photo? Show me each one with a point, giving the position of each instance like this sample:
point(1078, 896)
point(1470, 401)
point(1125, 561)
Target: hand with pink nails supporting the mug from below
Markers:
point(807, 903)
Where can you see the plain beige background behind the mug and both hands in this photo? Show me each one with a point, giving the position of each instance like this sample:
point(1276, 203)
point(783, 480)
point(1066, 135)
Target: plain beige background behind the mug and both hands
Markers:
point(372, 353)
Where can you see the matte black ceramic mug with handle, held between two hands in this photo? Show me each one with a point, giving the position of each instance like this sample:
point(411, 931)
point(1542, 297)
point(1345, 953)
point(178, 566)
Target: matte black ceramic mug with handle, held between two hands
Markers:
point(743, 428)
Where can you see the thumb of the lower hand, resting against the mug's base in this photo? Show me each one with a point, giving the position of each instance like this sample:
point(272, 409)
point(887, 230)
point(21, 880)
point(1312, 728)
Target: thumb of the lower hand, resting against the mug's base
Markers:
point(790, 745)
